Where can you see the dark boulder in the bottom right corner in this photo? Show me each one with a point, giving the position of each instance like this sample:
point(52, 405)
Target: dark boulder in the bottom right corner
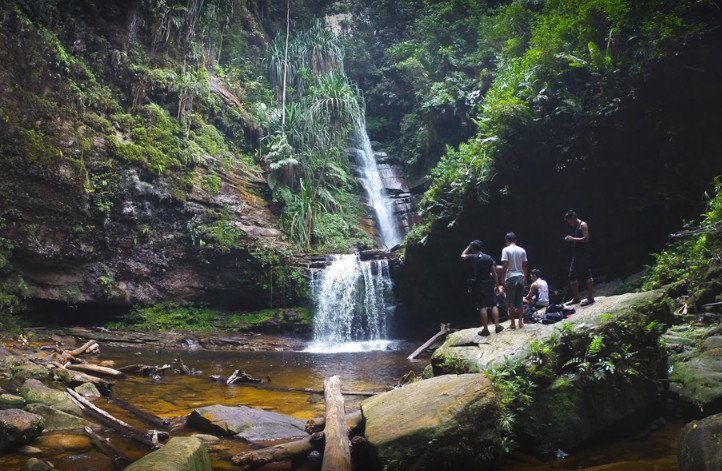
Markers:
point(700, 445)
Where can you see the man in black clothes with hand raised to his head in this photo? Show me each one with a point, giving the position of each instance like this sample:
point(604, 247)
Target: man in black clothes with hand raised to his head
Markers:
point(484, 284)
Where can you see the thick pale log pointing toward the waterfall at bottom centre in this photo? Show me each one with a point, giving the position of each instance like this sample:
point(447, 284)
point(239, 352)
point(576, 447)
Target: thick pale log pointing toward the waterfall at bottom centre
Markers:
point(337, 449)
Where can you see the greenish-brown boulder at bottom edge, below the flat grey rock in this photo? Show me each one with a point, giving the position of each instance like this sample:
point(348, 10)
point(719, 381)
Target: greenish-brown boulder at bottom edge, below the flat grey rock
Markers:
point(179, 454)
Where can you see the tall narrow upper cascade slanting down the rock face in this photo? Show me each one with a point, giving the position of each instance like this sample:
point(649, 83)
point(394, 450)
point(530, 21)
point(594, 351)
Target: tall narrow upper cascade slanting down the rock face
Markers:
point(382, 206)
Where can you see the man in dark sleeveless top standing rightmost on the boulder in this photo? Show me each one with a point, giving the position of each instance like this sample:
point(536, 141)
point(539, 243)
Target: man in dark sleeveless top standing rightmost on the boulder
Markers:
point(579, 267)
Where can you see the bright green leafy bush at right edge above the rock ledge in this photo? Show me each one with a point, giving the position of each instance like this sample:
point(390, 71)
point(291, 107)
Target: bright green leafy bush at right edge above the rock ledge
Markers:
point(687, 257)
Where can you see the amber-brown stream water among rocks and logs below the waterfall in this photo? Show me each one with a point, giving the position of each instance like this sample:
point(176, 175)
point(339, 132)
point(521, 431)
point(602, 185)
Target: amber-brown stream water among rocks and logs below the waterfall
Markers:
point(176, 395)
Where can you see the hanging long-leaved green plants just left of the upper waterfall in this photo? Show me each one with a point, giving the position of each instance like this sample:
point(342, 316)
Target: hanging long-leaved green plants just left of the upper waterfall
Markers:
point(305, 150)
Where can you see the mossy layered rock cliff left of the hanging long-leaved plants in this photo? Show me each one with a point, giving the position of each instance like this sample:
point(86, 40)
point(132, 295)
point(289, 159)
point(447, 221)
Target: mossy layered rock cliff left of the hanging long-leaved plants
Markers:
point(126, 169)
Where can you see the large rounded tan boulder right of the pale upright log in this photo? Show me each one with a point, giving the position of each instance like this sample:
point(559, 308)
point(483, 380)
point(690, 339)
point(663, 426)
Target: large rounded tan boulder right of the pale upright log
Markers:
point(447, 422)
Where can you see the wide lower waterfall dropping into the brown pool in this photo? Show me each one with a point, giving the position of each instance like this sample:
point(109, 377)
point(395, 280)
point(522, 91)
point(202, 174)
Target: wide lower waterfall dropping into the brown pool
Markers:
point(351, 305)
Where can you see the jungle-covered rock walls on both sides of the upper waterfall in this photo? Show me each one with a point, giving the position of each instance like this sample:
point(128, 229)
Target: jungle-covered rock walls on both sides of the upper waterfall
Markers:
point(213, 134)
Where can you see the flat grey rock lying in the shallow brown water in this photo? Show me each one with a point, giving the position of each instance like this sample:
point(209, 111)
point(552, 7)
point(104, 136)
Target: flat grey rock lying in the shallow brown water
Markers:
point(247, 423)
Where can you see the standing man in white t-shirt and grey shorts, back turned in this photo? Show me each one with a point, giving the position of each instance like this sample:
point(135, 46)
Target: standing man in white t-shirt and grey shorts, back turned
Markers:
point(514, 274)
